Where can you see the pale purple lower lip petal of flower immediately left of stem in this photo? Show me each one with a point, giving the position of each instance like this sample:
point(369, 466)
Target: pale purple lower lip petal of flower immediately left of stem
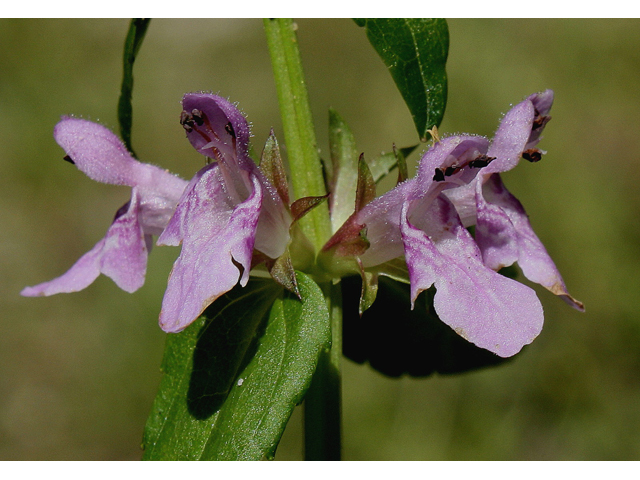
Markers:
point(217, 245)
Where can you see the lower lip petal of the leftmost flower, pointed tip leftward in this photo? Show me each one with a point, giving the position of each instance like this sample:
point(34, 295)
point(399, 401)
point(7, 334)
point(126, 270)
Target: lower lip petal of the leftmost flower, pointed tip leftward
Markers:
point(121, 255)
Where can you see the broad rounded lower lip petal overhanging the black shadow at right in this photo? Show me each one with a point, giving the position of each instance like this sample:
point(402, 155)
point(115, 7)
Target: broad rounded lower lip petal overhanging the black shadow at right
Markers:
point(488, 309)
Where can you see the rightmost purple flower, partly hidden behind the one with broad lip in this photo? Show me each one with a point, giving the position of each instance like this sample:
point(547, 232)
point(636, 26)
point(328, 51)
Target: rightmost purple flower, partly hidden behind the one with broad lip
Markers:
point(503, 231)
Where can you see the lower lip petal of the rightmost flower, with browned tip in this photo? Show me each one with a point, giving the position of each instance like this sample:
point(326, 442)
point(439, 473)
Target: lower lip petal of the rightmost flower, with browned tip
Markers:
point(504, 235)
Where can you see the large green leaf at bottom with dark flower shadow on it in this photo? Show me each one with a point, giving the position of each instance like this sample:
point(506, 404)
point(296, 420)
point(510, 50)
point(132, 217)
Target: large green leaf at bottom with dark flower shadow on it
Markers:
point(232, 379)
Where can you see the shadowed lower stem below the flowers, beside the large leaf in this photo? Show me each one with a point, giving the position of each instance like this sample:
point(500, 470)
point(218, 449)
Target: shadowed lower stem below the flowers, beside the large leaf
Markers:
point(322, 405)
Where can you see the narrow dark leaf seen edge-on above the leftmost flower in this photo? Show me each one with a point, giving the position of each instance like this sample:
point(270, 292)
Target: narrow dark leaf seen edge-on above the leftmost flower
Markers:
point(135, 36)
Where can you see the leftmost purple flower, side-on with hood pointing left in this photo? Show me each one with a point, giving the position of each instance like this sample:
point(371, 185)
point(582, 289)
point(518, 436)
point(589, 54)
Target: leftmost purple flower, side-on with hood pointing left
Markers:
point(122, 253)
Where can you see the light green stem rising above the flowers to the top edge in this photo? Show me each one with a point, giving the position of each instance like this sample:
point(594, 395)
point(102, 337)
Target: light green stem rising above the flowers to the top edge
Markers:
point(306, 170)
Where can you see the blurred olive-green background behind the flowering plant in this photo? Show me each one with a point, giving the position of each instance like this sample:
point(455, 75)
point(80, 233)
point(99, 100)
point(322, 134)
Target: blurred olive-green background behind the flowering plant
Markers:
point(80, 371)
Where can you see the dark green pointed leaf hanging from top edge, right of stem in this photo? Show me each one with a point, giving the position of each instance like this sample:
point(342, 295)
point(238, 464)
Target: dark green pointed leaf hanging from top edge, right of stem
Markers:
point(415, 52)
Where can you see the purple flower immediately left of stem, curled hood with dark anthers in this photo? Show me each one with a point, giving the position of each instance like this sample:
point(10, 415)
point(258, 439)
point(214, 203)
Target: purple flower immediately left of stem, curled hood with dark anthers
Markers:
point(228, 209)
